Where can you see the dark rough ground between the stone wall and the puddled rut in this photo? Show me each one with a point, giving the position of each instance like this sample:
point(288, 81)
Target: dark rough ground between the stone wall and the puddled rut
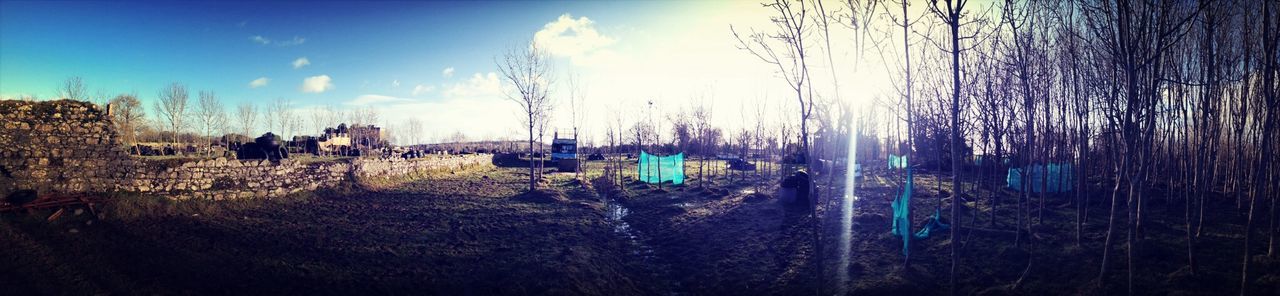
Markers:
point(464, 234)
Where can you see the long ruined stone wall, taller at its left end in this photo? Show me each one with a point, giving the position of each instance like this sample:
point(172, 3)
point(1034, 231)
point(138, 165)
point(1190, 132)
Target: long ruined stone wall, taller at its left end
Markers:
point(71, 147)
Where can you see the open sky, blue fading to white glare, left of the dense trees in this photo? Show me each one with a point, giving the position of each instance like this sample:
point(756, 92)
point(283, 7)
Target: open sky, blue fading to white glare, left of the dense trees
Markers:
point(435, 62)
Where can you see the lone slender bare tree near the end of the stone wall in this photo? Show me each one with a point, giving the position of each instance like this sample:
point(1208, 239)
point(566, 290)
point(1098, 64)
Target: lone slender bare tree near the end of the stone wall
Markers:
point(528, 72)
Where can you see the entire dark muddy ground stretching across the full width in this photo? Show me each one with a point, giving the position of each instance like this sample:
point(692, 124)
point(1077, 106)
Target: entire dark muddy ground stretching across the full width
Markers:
point(476, 233)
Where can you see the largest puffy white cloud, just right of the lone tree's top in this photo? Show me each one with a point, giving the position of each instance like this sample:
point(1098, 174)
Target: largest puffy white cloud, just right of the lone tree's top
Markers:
point(572, 38)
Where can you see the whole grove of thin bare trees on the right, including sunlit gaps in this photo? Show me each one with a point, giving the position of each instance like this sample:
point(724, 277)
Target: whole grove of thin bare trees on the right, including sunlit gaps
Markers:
point(1159, 97)
